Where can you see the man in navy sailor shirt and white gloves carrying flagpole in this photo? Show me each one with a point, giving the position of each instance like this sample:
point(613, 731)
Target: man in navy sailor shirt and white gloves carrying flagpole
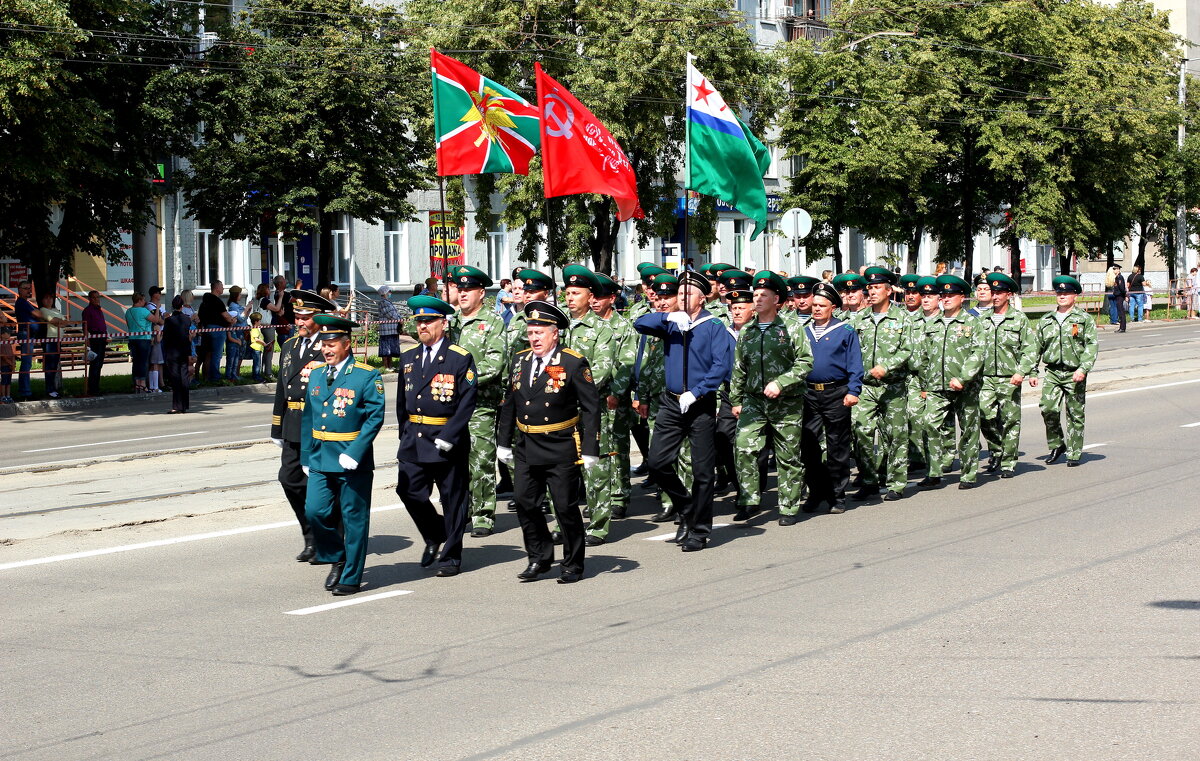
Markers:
point(699, 355)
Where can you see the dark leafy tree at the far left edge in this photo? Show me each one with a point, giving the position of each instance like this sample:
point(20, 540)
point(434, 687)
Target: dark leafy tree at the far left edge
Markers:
point(81, 135)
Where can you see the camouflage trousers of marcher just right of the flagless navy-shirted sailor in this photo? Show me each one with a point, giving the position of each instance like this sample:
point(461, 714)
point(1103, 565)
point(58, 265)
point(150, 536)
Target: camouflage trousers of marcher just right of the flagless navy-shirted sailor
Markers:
point(881, 432)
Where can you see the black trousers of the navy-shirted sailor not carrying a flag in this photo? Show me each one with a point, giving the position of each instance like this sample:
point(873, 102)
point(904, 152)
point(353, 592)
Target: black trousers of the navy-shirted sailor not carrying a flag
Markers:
point(826, 416)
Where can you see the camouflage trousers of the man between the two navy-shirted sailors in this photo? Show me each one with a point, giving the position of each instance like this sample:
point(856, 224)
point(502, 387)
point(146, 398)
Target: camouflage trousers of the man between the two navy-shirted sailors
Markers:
point(783, 426)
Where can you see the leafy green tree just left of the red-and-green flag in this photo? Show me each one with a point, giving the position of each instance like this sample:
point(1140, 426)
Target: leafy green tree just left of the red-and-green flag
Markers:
point(305, 111)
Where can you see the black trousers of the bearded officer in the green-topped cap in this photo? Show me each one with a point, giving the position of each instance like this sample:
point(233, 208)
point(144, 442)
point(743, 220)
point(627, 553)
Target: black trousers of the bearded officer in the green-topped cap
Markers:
point(416, 483)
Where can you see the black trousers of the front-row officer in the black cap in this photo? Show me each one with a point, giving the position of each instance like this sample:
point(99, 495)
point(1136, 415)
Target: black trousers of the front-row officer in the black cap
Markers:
point(531, 483)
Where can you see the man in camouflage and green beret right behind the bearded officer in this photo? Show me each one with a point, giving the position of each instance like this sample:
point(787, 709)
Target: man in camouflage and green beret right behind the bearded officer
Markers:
point(481, 332)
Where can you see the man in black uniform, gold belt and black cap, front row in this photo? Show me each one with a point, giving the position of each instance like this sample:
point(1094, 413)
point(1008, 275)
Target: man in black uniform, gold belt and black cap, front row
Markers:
point(554, 404)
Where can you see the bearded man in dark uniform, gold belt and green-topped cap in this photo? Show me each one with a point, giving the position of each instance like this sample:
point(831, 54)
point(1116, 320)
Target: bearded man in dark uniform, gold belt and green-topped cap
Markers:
point(436, 402)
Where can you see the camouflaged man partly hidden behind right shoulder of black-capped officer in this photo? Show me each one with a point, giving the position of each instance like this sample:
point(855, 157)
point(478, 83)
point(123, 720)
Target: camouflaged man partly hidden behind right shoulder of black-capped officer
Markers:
point(593, 339)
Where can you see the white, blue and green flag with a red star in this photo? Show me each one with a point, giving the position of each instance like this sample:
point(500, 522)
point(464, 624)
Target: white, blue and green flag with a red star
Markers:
point(725, 160)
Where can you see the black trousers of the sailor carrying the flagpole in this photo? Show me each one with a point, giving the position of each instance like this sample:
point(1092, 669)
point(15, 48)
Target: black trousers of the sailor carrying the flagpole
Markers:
point(699, 426)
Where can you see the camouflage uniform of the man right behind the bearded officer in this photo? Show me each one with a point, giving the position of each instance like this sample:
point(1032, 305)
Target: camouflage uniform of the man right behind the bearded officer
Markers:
point(483, 335)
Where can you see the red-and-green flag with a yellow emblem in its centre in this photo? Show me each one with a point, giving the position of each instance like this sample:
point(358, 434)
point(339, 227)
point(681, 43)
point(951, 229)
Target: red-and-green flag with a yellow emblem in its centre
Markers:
point(482, 127)
